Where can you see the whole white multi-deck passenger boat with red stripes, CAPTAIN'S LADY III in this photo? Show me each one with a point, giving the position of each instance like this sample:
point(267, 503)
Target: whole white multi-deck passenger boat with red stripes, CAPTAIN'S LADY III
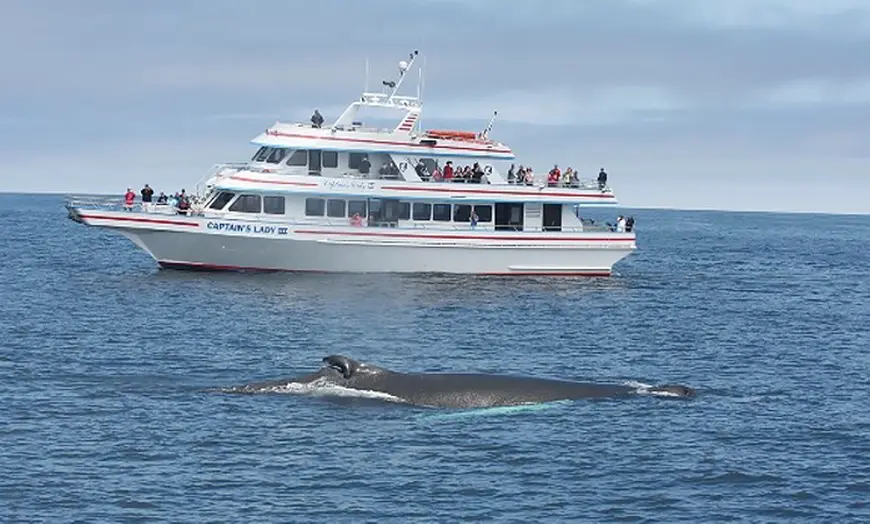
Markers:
point(346, 197)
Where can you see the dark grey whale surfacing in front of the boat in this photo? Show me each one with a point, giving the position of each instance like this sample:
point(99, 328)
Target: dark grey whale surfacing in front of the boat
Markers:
point(458, 390)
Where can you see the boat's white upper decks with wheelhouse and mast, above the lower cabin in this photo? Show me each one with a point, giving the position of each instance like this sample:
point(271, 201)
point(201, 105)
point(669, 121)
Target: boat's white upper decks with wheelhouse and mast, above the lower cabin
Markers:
point(353, 156)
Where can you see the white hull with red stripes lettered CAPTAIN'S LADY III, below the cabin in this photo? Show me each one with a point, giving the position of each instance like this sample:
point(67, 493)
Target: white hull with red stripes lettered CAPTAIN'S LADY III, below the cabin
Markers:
point(199, 244)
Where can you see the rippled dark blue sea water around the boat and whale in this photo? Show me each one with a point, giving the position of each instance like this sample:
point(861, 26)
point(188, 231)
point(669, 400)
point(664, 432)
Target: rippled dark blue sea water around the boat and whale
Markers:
point(105, 359)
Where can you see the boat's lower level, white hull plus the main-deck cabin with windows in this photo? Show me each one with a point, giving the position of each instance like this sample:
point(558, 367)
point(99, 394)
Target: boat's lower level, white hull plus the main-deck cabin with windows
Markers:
point(390, 239)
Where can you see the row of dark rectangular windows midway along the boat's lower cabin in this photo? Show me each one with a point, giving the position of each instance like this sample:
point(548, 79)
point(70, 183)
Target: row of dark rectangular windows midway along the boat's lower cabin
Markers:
point(420, 211)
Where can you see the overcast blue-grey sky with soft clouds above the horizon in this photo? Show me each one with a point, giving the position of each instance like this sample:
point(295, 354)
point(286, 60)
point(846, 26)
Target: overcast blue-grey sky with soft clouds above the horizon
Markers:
point(724, 104)
